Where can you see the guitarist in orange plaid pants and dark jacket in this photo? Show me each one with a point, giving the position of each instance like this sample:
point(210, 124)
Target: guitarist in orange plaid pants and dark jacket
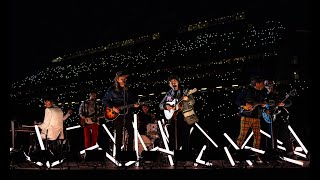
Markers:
point(251, 100)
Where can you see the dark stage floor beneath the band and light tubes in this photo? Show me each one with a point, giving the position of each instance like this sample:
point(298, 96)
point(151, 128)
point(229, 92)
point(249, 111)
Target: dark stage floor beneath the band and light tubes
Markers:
point(215, 168)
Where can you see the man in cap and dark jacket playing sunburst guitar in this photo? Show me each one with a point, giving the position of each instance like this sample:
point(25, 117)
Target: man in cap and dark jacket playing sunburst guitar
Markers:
point(121, 102)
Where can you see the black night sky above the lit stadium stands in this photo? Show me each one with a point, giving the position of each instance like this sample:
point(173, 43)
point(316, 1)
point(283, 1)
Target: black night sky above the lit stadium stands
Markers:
point(42, 30)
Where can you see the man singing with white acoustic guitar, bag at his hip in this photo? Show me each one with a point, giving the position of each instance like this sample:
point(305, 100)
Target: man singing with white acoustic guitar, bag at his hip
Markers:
point(179, 129)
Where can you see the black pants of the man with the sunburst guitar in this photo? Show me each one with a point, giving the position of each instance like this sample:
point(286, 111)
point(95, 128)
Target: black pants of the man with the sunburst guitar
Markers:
point(124, 122)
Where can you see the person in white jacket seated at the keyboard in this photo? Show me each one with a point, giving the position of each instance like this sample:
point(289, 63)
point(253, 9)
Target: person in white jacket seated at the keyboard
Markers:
point(52, 125)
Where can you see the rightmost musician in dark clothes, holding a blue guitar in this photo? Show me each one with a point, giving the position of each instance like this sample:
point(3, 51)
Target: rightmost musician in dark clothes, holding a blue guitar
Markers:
point(280, 119)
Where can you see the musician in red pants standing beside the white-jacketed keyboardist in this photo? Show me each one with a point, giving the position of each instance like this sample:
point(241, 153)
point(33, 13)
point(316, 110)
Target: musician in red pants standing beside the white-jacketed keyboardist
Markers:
point(90, 113)
